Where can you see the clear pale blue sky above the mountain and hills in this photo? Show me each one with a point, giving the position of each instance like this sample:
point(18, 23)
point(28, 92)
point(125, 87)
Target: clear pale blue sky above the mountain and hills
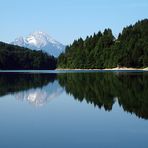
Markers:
point(66, 20)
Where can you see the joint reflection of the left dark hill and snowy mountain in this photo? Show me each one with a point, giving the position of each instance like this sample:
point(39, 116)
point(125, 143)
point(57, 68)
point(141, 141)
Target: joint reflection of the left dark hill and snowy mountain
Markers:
point(37, 89)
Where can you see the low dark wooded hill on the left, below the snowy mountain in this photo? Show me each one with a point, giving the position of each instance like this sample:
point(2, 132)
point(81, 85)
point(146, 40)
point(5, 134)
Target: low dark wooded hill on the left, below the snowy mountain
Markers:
point(18, 58)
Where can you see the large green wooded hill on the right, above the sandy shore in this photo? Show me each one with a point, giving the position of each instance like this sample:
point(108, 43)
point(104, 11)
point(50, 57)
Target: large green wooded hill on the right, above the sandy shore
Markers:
point(102, 50)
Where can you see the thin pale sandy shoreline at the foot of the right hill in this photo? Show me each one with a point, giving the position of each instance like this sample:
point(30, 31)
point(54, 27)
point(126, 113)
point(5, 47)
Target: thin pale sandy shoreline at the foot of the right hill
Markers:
point(116, 68)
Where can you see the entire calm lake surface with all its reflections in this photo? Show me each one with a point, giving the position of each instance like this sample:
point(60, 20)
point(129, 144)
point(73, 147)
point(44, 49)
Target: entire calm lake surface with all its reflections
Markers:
point(73, 109)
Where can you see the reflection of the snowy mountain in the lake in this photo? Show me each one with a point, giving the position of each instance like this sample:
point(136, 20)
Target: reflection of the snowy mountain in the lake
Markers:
point(40, 96)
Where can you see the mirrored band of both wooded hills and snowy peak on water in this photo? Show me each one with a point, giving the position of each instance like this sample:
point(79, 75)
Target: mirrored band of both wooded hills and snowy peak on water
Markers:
point(102, 90)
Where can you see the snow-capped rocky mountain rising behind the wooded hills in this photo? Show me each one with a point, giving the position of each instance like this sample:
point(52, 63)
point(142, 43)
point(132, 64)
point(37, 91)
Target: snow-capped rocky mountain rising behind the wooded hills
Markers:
point(41, 41)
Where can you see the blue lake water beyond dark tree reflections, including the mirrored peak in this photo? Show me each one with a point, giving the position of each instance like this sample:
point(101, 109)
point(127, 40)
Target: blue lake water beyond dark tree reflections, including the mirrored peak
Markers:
point(66, 122)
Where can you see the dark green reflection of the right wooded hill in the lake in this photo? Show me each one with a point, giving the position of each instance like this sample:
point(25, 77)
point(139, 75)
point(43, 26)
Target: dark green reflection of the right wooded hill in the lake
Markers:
point(103, 89)
